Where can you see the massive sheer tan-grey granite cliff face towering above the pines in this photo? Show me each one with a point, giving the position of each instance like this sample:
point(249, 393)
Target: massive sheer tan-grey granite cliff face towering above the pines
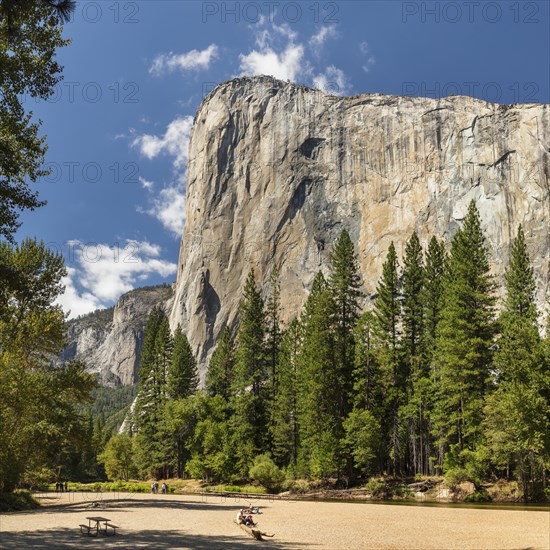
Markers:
point(276, 171)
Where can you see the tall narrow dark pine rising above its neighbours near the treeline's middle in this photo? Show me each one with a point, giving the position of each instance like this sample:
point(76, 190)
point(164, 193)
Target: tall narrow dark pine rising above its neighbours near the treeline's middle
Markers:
point(344, 283)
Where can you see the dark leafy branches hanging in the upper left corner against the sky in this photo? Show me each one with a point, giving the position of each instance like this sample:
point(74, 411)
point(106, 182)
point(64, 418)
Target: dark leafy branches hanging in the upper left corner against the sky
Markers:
point(30, 34)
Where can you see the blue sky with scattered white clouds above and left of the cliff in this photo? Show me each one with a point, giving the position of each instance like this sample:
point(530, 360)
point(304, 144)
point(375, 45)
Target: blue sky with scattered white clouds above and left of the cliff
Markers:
point(118, 125)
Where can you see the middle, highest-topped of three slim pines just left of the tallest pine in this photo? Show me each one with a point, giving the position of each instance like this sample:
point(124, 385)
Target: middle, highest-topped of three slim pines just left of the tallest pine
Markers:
point(415, 368)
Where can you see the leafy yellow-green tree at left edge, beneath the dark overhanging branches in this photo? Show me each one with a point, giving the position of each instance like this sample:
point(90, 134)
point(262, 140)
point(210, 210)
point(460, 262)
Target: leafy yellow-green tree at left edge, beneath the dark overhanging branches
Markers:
point(39, 421)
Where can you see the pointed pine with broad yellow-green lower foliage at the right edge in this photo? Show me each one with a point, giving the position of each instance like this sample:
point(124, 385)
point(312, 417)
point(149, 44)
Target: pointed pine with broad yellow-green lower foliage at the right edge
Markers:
point(517, 413)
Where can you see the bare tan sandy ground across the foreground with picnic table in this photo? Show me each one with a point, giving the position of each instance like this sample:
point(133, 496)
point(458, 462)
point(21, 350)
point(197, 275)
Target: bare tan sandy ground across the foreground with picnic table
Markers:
point(182, 521)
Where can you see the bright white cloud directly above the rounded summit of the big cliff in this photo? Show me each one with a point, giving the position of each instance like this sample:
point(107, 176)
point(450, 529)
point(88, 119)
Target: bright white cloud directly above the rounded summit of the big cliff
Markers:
point(285, 65)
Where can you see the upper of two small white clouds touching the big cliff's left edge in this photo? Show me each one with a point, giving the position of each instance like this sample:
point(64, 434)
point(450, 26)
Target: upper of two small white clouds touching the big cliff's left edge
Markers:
point(175, 142)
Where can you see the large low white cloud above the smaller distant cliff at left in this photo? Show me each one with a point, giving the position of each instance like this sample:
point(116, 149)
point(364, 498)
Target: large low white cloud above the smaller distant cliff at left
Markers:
point(104, 272)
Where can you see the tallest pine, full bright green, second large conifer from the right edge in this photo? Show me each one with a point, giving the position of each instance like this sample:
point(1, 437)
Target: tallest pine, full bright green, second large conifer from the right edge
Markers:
point(463, 342)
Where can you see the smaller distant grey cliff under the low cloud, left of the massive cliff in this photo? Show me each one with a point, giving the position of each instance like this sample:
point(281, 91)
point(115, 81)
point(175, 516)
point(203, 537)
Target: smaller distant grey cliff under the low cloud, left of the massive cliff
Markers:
point(110, 341)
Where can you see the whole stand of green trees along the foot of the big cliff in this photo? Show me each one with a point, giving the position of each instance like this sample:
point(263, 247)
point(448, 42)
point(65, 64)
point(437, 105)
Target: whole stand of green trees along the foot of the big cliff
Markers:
point(422, 382)
